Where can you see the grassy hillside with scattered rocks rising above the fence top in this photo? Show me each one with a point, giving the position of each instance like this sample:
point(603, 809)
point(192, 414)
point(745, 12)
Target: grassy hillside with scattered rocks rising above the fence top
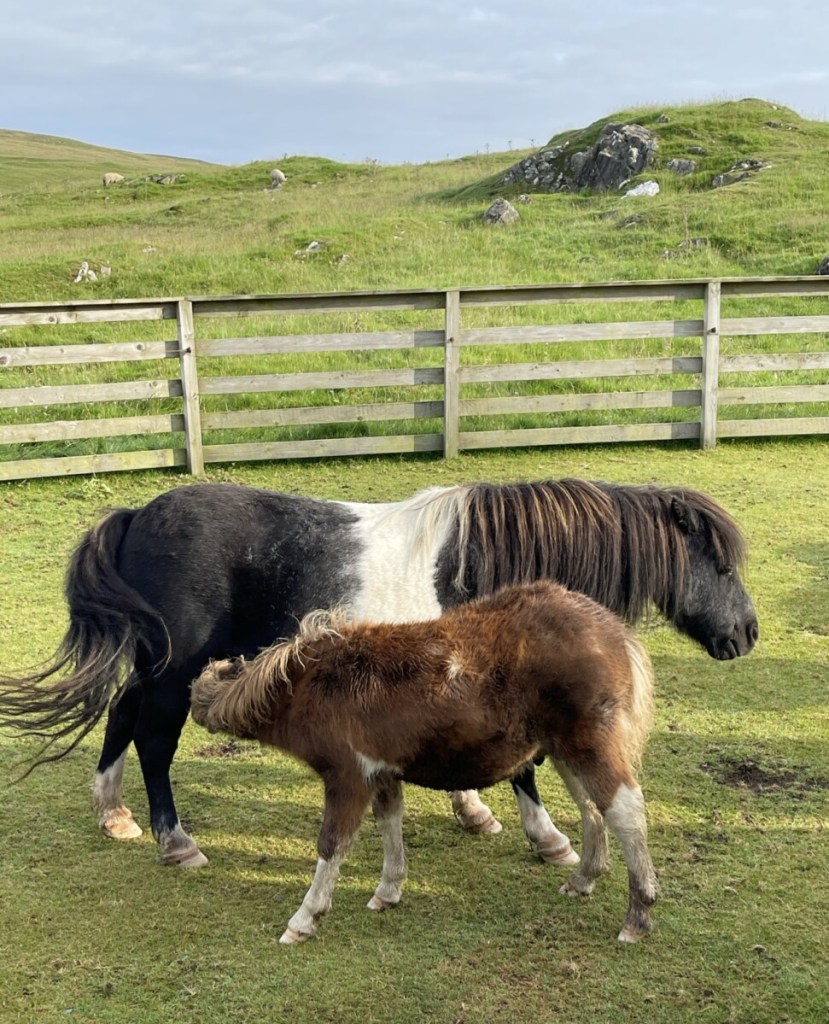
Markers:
point(220, 230)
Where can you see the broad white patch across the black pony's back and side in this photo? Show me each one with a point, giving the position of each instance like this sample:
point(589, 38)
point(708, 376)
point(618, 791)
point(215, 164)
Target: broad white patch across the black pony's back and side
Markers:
point(402, 543)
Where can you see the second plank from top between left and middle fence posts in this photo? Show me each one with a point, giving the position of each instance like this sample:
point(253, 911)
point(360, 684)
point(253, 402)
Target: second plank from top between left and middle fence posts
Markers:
point(280, 345)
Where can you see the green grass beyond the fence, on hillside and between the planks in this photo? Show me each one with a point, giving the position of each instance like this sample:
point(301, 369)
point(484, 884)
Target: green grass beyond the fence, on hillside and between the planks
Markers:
point(221, 231)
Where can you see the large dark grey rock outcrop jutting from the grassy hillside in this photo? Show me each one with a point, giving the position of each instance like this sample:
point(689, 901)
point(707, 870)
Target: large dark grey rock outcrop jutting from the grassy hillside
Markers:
point(621, 153)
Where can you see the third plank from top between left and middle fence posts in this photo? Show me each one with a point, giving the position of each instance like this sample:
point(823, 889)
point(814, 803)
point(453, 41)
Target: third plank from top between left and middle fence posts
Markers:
point(329, 380)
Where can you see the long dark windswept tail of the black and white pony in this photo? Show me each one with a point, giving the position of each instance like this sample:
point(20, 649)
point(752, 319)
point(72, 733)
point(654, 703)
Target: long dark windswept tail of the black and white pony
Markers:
point(109, 622)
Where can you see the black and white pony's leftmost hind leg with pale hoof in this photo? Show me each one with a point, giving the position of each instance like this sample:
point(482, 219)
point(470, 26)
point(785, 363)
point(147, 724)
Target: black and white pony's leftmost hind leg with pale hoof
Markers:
point(115, 819)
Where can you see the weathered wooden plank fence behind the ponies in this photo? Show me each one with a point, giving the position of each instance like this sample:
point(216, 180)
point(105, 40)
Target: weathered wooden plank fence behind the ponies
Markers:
point(447, 369)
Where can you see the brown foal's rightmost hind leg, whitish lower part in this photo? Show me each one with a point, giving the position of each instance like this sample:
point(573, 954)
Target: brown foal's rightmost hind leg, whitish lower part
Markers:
point(626, 819)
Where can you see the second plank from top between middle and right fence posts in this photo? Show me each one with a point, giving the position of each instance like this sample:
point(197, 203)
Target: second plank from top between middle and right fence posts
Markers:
point(612, 331)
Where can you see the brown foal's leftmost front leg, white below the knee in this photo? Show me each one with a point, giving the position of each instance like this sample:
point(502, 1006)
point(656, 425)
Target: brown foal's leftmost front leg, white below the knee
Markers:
point(346, 802)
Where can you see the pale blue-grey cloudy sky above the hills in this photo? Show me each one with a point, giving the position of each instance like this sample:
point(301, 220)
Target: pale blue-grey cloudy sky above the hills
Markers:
point(395, 81)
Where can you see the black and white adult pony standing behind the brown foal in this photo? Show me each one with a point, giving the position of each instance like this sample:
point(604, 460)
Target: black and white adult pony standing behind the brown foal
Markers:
point(220, 571)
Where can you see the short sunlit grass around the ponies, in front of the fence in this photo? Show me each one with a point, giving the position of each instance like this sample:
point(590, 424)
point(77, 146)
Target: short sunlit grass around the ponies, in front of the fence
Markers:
point(736, 779)
